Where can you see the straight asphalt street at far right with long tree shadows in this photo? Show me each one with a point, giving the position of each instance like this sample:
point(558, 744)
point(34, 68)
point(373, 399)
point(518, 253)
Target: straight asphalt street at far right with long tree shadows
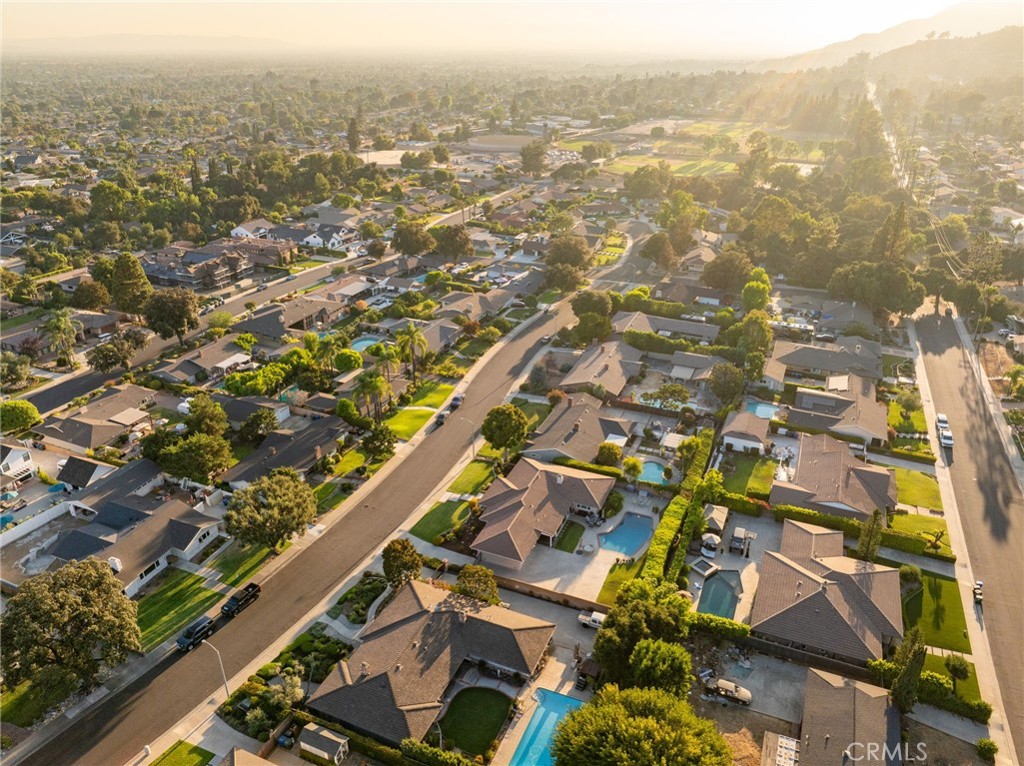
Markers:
point(992, 506)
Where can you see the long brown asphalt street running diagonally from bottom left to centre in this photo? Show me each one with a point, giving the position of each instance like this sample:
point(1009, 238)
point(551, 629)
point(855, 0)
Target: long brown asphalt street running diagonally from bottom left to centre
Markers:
point(116, 731)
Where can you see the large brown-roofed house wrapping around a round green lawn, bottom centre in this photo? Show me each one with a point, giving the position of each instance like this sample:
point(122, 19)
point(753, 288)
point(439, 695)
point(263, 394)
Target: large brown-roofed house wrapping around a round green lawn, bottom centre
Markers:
point(394, 686)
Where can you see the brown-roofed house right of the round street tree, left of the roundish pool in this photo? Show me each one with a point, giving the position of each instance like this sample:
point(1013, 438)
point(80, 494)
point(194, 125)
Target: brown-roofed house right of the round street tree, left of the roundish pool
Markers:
point(576, 429)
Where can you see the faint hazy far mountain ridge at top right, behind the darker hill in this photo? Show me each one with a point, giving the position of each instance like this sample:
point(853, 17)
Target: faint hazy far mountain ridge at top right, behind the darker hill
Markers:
point(963, 20)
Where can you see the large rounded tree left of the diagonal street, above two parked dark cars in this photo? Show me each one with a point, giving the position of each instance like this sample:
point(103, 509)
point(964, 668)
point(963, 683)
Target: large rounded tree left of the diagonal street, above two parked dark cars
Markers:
point(272, 509)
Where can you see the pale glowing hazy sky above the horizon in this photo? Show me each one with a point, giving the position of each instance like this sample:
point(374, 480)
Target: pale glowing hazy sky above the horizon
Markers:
point(679, 28)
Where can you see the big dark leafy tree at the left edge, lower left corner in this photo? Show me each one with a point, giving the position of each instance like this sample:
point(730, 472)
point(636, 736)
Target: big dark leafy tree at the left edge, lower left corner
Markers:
point(72, 621)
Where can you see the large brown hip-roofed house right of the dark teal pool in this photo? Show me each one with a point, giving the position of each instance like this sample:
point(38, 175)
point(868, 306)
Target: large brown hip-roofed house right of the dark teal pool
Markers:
point(814, 599)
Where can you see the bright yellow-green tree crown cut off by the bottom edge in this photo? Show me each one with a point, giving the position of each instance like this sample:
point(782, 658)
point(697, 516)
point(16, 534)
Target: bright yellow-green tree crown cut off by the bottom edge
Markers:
point(642, 728)
